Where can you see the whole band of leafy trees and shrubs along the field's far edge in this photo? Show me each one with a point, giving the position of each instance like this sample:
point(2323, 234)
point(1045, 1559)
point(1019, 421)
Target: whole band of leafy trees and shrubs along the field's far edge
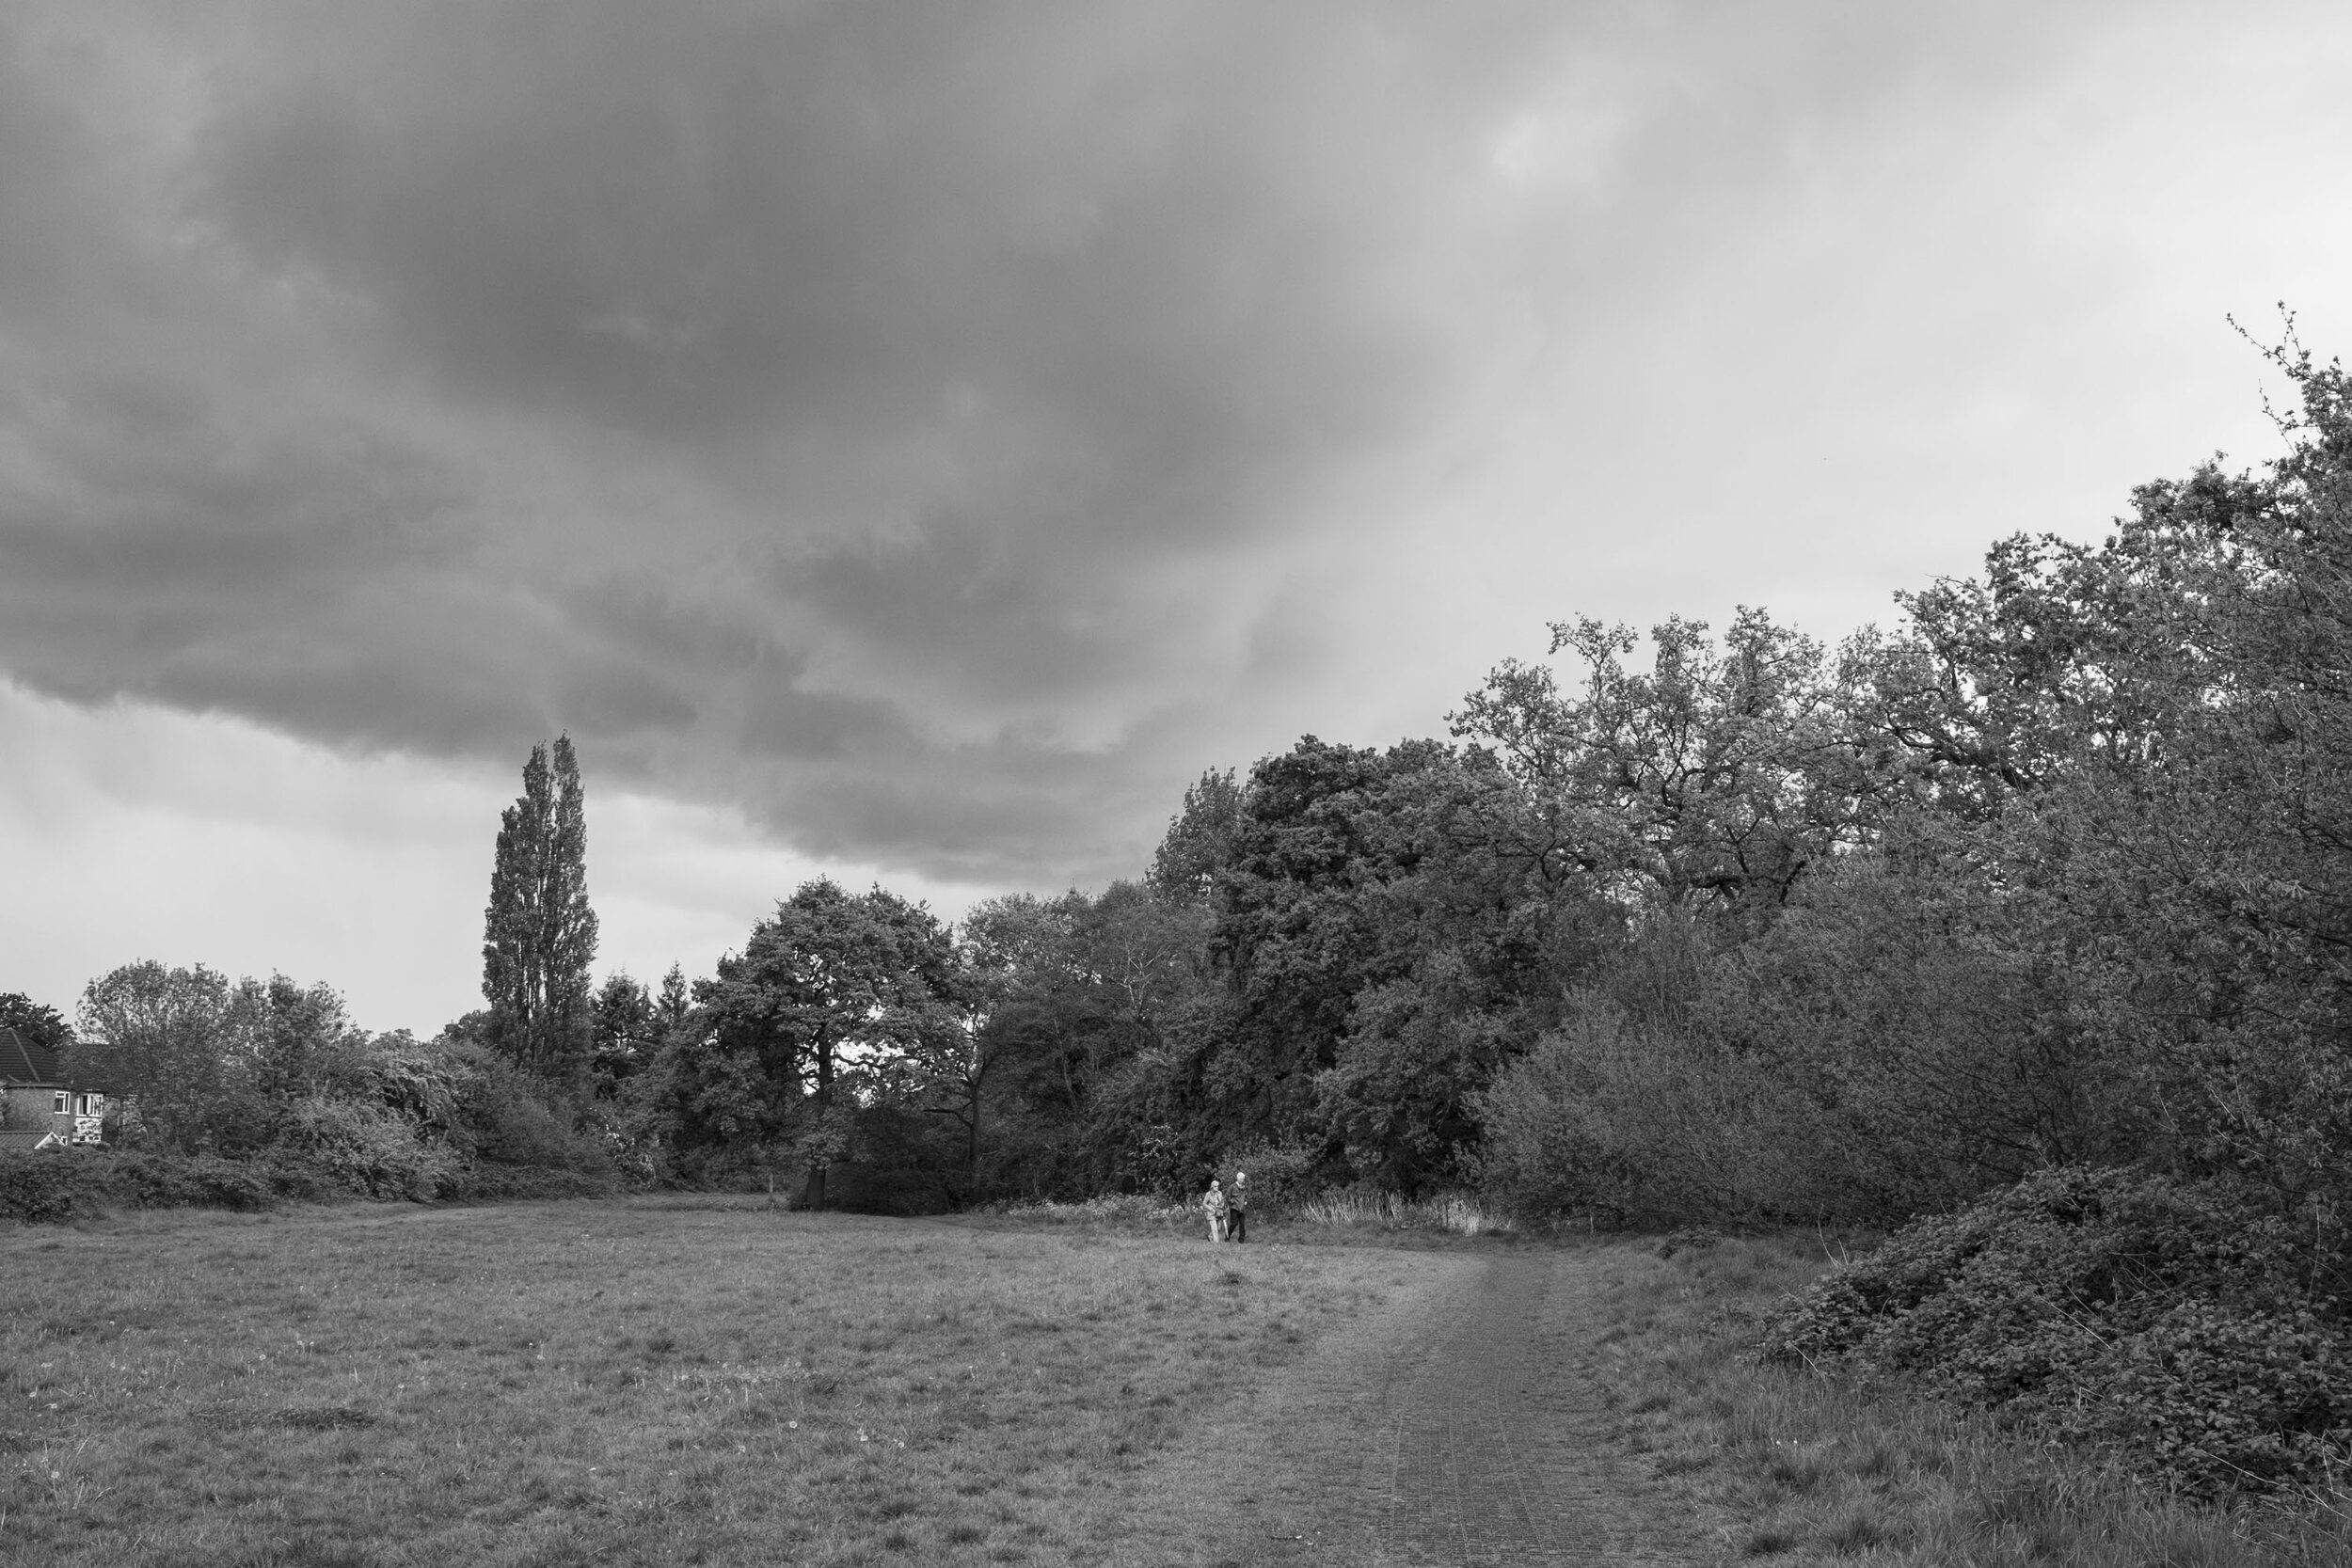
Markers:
point(2057, 871)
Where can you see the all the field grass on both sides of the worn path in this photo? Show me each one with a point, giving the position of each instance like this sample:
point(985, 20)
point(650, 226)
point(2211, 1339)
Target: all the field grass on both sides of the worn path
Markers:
point(726, 1383)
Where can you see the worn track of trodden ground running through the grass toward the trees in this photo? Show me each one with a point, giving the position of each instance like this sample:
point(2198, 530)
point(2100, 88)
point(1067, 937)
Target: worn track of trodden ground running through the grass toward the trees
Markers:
point(1462, 1428)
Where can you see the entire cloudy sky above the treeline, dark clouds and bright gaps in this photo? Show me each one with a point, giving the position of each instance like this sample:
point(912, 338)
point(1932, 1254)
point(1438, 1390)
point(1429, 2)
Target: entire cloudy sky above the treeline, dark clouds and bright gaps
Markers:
point(914, 441)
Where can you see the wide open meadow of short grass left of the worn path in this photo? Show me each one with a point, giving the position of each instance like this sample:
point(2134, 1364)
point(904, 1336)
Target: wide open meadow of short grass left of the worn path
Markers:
point(603, 1381)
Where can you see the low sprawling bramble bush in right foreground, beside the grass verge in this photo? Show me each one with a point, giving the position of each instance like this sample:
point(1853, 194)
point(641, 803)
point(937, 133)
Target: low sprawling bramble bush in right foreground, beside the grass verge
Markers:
point(2189, 1329)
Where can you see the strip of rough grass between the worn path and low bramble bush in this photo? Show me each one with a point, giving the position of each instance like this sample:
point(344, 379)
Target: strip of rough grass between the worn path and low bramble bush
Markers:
point(1810, 1470)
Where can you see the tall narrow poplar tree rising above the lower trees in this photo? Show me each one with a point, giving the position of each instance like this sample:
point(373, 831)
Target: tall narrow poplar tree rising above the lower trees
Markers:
point(540, 932)
